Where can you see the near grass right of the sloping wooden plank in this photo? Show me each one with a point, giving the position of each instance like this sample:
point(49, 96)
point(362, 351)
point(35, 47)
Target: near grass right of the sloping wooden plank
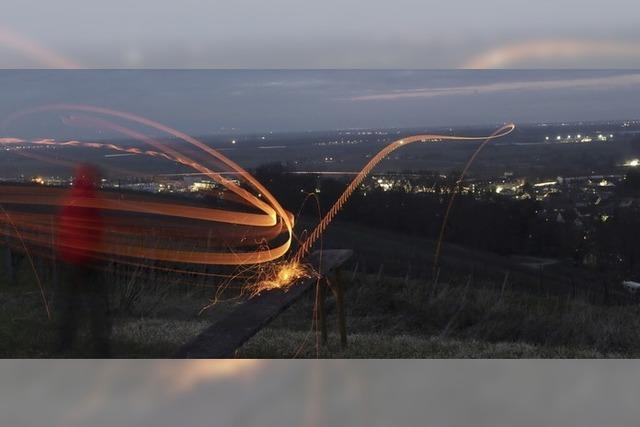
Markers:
point(404, 319)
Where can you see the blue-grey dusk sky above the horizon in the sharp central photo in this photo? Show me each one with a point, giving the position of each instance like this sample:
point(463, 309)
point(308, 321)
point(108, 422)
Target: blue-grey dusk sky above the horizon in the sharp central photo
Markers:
point(228, 101)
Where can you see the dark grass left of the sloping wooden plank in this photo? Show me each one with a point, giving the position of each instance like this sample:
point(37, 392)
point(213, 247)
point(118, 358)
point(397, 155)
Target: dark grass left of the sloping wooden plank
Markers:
point(155, 324)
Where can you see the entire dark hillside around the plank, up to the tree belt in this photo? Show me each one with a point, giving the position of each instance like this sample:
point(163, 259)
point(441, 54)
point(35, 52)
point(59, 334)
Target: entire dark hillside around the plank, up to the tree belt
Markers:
point(476, 309)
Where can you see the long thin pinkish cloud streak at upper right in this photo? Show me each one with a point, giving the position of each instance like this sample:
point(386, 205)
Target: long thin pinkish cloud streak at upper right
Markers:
point(607, 82)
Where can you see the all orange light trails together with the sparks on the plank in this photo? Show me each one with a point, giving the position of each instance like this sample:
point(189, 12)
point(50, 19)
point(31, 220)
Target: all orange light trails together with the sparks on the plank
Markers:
point(237, 229)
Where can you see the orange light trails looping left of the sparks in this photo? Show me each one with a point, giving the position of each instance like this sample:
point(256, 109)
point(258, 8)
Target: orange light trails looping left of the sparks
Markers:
point(272, 218)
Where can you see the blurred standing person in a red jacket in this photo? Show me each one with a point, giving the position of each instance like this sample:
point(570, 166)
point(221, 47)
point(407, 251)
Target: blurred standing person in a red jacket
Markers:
point(79, 238)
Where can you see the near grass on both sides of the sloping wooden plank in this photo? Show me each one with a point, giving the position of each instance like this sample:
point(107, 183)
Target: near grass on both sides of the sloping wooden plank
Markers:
point(386, 318)
